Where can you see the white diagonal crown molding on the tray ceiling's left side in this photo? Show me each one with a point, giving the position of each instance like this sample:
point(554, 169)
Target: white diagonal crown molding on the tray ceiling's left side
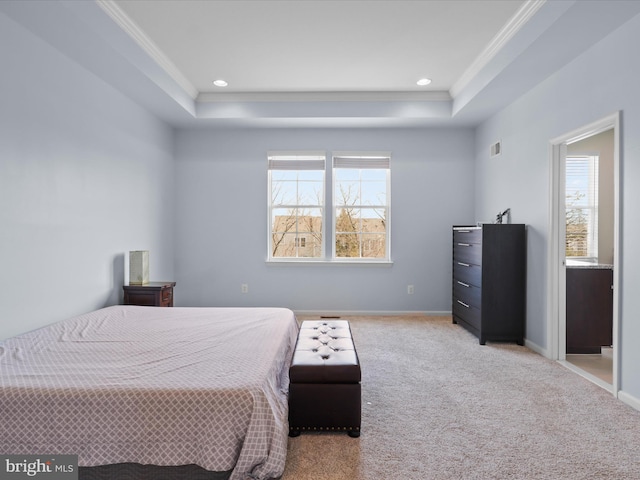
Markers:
point(136, 33)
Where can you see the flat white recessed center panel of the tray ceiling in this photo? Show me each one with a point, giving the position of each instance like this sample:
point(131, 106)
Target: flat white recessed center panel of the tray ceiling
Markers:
point(276, 46)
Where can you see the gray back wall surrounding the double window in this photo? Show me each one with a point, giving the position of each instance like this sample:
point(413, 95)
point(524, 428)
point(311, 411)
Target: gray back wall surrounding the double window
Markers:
point(221, 205)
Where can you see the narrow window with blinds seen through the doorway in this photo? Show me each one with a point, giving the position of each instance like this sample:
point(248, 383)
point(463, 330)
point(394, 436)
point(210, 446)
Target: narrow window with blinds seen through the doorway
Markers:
point(582, 206)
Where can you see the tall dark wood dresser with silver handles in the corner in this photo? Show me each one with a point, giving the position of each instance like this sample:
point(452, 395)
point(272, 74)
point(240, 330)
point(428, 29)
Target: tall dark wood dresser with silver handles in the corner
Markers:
point(489, 281)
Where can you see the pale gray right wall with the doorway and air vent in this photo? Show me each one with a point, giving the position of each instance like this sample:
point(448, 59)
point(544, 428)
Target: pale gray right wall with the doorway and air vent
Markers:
point(594, 85)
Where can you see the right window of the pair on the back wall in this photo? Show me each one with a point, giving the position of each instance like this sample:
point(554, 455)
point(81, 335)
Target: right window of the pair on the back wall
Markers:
point(361, 207)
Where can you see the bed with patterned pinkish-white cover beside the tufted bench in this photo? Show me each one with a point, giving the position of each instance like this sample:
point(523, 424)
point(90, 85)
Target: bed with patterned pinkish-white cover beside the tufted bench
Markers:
point(157, 386)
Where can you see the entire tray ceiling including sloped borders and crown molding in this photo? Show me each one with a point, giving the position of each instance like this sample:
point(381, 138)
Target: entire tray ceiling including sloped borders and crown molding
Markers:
point(328, 63)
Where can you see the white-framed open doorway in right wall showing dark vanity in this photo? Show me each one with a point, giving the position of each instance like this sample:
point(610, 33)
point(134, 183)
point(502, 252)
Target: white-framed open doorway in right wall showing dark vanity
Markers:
point(597, 142)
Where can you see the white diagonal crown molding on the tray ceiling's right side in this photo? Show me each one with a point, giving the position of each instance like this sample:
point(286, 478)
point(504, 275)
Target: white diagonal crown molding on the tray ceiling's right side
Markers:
point(513, 26)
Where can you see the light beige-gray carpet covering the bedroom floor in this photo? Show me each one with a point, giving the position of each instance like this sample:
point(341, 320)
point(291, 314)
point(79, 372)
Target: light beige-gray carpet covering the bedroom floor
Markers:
point(436, 405)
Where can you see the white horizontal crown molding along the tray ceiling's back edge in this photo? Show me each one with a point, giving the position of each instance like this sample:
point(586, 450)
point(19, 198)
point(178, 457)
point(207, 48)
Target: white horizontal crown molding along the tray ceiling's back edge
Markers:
point(344, 96)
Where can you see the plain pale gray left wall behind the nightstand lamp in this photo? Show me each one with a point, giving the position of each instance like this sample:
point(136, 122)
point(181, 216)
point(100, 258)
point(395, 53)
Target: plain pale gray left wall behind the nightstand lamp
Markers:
point(85, 176)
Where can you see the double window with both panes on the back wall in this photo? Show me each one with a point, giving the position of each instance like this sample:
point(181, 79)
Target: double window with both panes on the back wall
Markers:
point(357, 212)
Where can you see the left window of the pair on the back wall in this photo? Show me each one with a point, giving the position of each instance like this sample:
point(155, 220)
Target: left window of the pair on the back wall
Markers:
point(296, 206)
